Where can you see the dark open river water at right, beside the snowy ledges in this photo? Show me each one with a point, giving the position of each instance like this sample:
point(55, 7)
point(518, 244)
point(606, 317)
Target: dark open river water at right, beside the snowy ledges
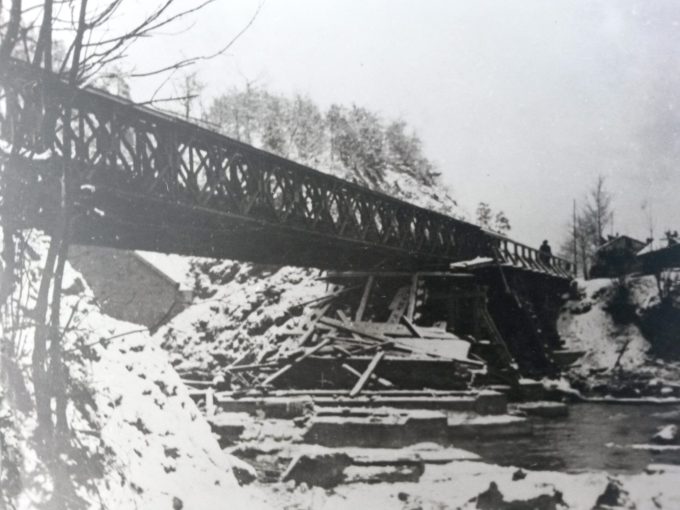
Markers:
point(593, 437)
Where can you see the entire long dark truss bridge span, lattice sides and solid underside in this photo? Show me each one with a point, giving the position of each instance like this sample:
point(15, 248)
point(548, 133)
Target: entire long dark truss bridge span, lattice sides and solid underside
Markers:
point(141, 179)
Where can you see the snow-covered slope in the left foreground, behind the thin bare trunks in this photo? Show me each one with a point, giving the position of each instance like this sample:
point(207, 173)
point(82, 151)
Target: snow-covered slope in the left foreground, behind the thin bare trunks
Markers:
point(142, 441)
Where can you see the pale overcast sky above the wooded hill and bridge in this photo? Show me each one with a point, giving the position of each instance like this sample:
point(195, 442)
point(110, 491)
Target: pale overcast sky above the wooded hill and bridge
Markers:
point(520, 104)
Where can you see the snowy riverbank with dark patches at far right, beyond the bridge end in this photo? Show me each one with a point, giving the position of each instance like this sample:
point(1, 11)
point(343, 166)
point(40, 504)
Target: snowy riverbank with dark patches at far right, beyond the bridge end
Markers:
point(612, 323)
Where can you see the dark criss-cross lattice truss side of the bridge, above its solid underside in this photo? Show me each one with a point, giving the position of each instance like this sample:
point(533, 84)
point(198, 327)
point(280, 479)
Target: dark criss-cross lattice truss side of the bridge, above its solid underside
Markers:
point(133, 149)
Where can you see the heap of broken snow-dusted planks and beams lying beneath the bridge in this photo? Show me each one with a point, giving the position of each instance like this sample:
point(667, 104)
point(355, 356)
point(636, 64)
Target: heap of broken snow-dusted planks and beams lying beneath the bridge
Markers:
point(388, 351)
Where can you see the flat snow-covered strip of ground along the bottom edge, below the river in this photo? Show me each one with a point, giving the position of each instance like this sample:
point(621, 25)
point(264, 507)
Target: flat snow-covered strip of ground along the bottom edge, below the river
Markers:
point(476, 485)
